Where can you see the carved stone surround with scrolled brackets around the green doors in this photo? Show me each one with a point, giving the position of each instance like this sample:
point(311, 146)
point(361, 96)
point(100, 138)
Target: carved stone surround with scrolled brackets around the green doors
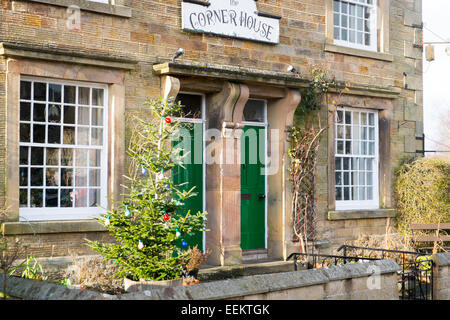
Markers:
point(225, 103)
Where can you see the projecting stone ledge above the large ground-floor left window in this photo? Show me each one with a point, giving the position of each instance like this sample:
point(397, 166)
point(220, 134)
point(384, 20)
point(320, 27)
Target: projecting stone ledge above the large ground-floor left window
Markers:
point(71, 55)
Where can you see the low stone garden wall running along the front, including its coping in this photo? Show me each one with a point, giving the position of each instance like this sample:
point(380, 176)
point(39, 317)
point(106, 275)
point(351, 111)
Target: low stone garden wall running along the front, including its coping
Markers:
point(346, 282)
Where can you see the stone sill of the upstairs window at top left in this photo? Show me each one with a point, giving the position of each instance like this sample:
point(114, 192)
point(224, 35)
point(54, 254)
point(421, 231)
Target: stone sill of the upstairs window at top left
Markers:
point(98, 7)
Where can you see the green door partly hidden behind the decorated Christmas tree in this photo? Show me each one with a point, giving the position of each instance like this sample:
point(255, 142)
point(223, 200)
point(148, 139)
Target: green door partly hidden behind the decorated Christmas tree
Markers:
point(191, 175)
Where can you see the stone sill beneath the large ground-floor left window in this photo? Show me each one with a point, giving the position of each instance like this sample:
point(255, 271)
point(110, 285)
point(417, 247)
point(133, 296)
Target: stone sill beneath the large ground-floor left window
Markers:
point(22, 228)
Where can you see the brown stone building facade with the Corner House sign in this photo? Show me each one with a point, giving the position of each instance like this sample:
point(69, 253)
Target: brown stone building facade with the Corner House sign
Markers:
point(77, 68)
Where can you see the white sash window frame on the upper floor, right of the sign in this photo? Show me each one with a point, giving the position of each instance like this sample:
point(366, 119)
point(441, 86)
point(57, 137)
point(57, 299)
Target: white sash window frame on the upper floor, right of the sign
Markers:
point(373, 27)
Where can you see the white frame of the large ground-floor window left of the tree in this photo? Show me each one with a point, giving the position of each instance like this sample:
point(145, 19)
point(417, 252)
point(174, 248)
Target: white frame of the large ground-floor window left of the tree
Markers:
point(64, 213)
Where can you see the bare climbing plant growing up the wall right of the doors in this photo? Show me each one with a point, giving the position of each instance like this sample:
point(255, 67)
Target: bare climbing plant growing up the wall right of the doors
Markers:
point(306, 136)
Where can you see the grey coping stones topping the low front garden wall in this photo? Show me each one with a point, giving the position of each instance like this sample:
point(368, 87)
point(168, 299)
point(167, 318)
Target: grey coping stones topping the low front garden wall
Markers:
point(231, 288)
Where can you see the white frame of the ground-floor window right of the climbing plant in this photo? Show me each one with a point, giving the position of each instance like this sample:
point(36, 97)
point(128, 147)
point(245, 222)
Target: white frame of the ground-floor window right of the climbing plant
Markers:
point(358, 204)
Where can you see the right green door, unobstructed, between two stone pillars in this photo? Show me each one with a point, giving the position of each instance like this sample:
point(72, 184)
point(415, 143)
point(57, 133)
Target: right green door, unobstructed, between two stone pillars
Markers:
point(253, 188)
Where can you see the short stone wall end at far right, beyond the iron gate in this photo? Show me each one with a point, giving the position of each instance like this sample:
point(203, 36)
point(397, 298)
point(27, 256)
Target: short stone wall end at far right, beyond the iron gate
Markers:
point(441, 276)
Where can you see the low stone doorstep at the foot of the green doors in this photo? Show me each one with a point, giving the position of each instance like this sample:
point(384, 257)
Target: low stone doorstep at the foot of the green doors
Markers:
point(248, 268)
